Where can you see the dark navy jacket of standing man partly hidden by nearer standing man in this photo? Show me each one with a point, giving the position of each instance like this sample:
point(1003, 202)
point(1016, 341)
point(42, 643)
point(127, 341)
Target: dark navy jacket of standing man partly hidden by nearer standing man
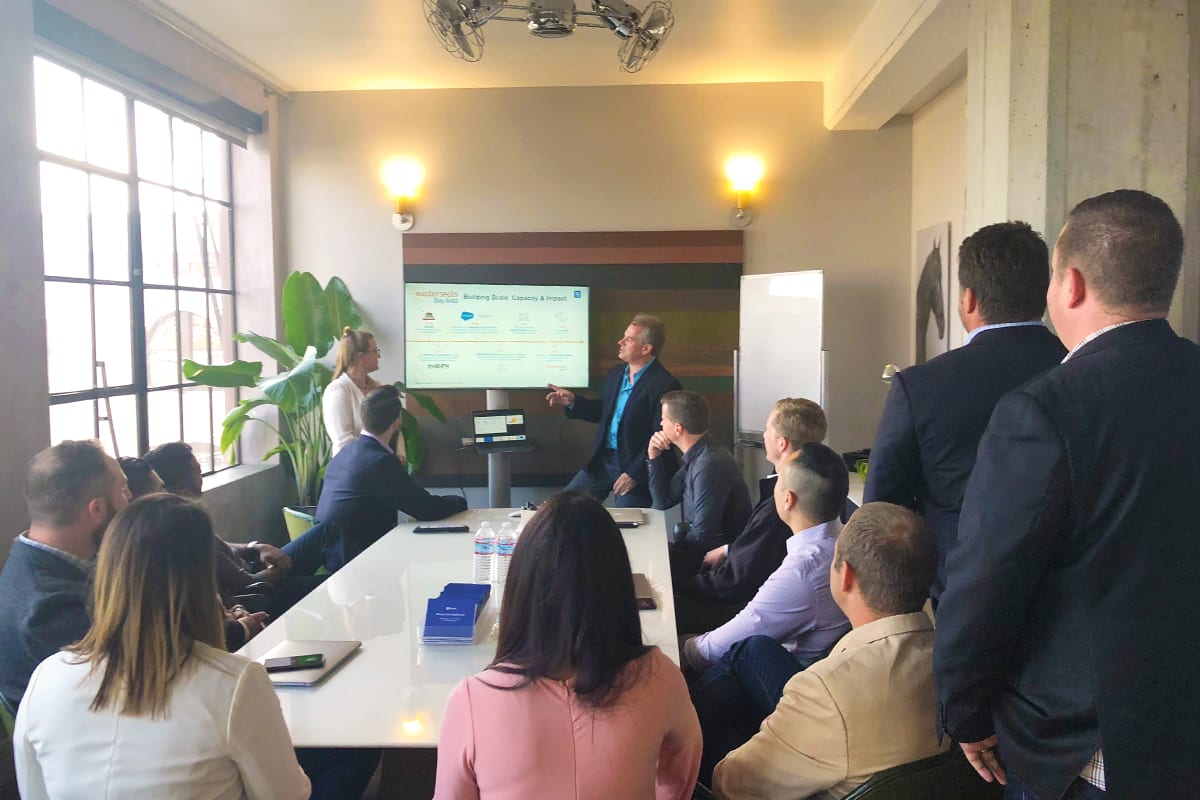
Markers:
point(937, 413)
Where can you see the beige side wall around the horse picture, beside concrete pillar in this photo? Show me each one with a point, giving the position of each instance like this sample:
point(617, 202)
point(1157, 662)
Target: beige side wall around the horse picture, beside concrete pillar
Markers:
point(939, 193)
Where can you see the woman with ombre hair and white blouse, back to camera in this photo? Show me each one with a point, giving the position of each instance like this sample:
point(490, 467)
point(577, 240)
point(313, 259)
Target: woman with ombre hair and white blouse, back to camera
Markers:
point(149, 705)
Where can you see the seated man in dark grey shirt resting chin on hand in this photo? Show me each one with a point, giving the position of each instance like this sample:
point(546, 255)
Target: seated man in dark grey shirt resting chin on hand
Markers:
point(707, 483)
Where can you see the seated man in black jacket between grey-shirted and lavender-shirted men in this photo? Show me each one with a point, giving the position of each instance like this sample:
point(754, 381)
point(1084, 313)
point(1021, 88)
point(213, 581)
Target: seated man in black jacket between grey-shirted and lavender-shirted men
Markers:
point(734, 573)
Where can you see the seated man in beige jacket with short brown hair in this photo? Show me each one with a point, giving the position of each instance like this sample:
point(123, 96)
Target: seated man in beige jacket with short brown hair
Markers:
point(869, 706)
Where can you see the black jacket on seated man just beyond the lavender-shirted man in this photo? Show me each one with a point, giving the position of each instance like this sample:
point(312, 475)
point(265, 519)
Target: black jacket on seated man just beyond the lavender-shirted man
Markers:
point(753, 556)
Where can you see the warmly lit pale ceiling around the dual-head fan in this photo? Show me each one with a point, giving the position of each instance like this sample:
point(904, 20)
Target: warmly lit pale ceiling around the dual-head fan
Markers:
point(349, 45)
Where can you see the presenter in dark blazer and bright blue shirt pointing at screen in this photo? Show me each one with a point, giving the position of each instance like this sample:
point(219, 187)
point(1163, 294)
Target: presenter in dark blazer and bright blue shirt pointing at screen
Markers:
point(628, 417)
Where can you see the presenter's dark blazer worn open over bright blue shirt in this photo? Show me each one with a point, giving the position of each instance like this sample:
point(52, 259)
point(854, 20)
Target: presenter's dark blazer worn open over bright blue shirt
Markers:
point(641, 419)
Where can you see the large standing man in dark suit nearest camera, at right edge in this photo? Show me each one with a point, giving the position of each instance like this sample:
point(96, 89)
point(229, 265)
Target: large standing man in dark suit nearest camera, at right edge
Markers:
point(1066, 651)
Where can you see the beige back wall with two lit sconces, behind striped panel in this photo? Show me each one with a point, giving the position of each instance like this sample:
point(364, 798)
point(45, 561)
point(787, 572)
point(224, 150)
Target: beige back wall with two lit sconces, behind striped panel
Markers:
point(616, 159)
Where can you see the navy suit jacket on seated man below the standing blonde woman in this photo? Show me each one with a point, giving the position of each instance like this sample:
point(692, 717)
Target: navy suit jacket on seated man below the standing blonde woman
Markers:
point(365, 486)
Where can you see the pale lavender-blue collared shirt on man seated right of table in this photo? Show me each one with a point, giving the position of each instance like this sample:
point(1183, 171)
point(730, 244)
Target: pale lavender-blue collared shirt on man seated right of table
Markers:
point(794, 606)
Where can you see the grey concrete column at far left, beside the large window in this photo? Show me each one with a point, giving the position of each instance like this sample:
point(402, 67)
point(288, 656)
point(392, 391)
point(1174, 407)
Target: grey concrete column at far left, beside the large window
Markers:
point(26, 400)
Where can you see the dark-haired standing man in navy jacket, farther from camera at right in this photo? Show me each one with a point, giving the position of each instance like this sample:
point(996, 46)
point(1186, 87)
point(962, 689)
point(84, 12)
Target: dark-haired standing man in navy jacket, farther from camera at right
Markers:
point(937, 412)
